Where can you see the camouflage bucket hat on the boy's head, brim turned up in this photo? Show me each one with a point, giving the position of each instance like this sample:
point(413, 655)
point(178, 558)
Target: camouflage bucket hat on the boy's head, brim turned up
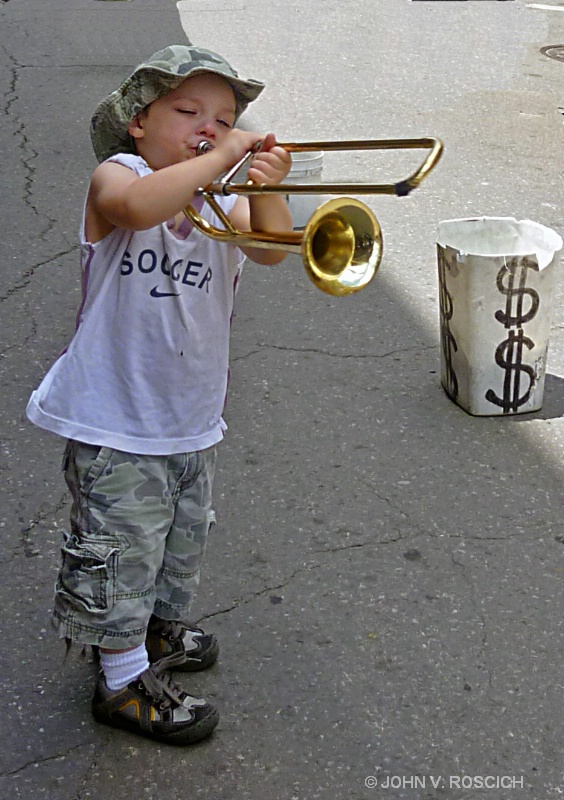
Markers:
point(162, 73)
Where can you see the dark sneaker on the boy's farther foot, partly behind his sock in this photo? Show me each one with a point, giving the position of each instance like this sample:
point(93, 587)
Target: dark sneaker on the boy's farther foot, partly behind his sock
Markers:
point(199, 650)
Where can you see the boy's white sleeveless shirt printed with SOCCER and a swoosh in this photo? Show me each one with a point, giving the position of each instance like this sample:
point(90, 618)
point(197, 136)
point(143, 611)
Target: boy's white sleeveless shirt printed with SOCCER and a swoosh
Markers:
point(147, 369)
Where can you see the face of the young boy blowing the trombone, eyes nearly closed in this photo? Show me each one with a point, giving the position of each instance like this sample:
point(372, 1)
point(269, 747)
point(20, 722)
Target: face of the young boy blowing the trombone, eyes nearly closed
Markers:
point(171, 128)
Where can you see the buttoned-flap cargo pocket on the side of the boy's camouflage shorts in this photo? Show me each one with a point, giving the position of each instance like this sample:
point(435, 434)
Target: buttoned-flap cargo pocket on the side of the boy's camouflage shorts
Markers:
point(87, 579)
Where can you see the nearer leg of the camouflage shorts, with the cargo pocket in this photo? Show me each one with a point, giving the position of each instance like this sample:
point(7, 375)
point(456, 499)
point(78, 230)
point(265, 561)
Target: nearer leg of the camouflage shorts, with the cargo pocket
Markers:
point(120, 519)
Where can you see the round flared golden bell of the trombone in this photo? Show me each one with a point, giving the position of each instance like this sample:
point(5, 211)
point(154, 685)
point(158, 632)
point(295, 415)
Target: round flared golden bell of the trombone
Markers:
point(342, 246)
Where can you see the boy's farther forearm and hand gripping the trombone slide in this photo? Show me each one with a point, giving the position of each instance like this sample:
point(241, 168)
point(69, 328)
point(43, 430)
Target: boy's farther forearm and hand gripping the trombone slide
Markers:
point(267, 213)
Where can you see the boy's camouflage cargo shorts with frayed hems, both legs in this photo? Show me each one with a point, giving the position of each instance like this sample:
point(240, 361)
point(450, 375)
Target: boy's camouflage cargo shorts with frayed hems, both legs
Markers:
point(139, 527)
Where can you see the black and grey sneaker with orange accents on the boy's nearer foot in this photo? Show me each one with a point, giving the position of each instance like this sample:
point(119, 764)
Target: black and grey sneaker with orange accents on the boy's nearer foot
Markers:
point(154, 706)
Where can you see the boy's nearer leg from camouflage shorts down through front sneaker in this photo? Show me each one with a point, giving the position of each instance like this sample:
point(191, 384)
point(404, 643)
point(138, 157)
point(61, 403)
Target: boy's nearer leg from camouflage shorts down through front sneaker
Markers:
point(121, 515)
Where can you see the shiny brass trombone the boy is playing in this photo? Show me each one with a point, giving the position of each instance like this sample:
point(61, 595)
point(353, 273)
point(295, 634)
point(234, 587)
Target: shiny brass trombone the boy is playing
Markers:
point(341, 245)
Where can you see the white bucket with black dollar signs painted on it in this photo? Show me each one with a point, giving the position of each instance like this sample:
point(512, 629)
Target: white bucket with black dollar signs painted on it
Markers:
point(496, 284)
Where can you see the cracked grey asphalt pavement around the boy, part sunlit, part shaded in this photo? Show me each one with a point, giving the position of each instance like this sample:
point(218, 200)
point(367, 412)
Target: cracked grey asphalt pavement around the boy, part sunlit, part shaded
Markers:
point(385, 576)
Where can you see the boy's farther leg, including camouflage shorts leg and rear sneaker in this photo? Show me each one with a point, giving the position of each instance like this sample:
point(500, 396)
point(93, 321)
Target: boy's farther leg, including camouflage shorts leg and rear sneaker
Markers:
point(169, 629)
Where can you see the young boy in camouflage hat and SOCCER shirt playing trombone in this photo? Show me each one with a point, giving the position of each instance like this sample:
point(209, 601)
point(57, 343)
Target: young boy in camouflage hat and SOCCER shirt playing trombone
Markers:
point(140, 390)
